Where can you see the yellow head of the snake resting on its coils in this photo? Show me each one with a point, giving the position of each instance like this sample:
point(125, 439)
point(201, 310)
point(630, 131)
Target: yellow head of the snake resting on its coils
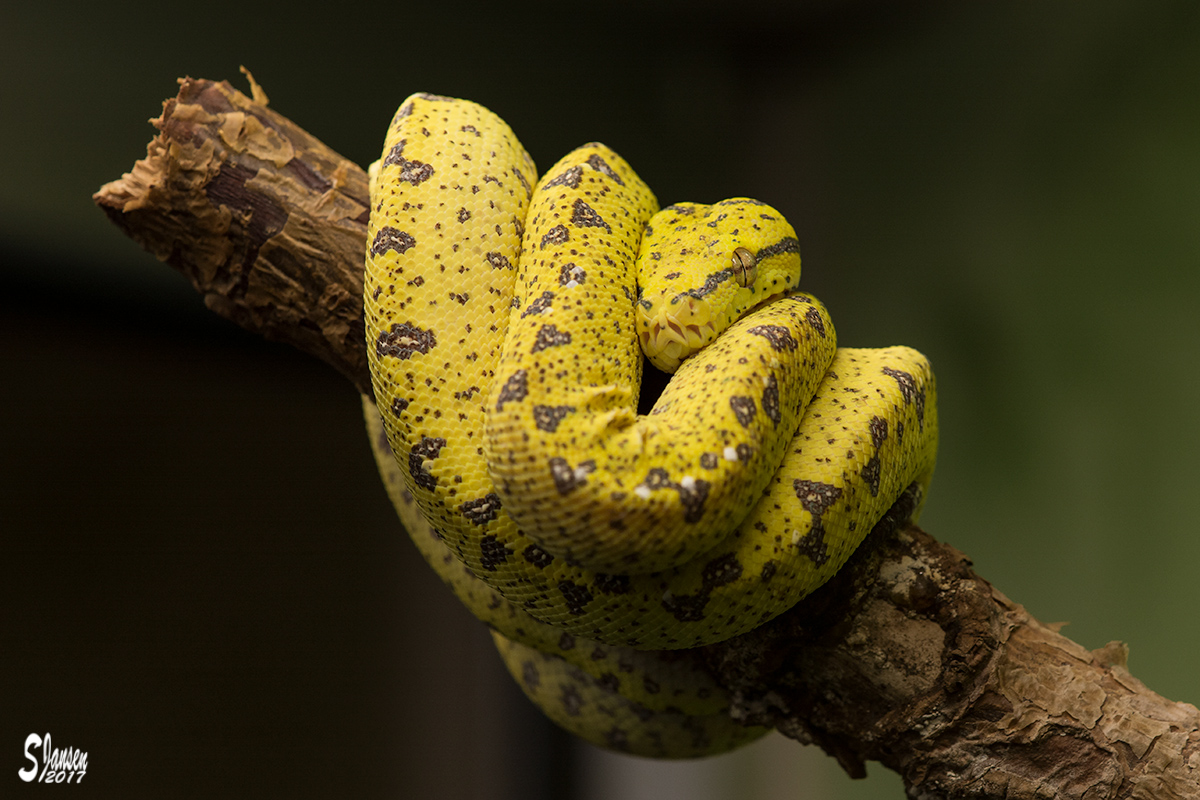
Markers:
point(701, 268)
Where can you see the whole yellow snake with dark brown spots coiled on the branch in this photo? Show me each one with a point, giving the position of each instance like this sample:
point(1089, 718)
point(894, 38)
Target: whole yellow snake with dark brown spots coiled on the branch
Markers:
point(506, 321)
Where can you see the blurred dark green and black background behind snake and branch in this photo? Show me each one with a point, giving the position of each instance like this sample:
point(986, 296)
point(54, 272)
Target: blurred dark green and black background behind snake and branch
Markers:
point(202, 584)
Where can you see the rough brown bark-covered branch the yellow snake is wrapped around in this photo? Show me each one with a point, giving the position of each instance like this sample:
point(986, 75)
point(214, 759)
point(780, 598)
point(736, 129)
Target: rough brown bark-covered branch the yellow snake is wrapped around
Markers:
point(908, 657)
